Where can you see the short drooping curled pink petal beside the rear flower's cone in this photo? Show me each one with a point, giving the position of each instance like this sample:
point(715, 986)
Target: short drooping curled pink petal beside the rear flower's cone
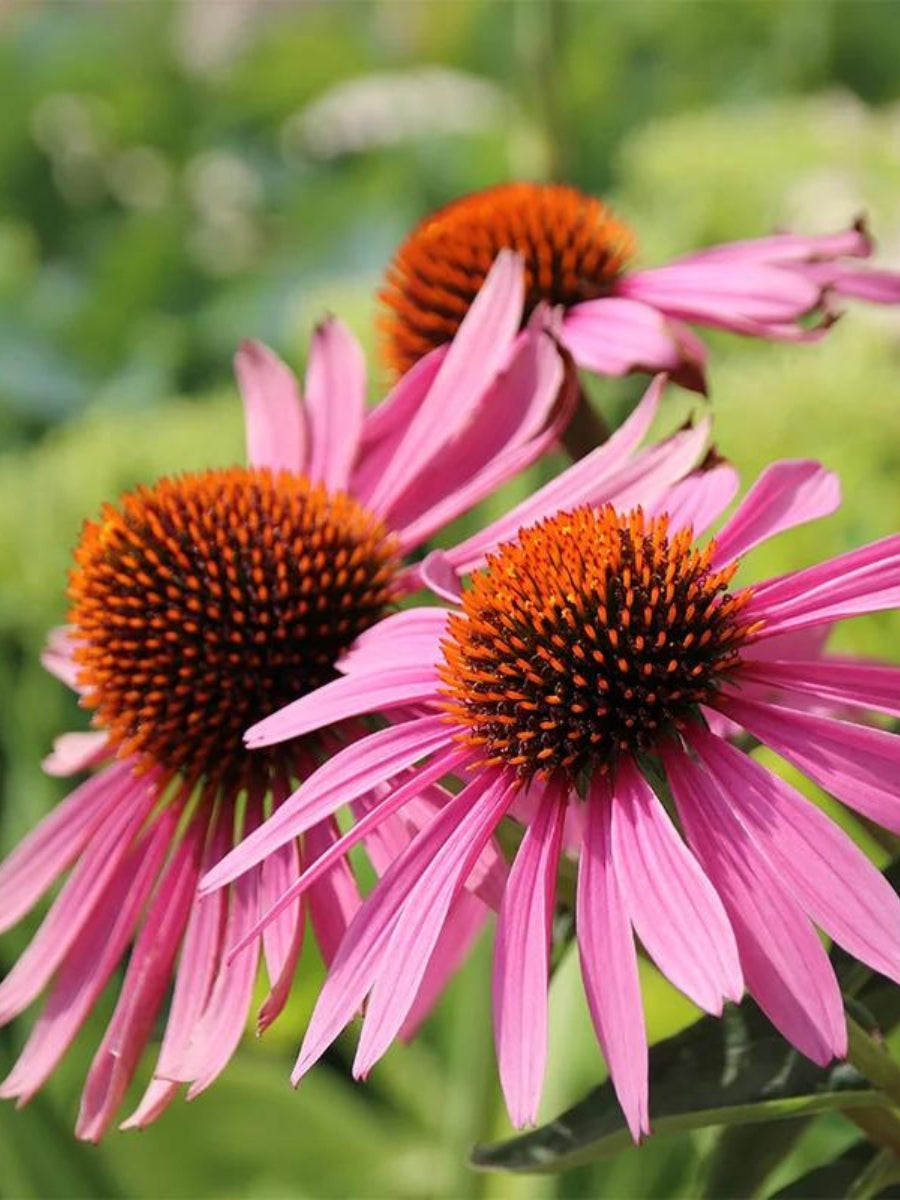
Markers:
point(616, 335)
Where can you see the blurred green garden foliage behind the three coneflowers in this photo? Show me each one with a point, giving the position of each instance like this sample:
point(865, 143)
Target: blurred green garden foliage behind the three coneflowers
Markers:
point(175, 178)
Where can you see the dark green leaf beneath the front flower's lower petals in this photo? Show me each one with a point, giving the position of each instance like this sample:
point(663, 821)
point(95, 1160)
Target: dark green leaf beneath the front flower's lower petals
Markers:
point(731, 1071)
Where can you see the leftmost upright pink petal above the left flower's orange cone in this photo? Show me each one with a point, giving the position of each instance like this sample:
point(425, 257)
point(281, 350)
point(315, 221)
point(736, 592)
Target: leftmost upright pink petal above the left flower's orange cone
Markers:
point(273, 411)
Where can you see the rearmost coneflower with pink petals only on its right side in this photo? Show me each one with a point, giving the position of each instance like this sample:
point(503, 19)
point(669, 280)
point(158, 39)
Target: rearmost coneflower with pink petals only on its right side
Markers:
point(617, 320)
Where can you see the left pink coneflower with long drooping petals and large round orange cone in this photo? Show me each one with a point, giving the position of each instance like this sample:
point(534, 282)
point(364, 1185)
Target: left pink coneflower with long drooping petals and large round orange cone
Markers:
point(199, 607)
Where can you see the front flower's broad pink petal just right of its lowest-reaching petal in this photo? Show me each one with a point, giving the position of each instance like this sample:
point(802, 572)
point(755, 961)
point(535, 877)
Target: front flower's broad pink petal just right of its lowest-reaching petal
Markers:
point(673, 905)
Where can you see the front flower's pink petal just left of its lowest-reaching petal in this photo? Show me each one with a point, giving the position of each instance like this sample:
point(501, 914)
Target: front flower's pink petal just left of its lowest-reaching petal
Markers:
point(521, 963)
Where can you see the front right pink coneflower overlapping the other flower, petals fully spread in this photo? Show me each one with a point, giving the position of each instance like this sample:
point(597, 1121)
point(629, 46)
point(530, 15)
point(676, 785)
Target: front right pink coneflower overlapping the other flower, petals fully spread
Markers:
point(586, 685)
